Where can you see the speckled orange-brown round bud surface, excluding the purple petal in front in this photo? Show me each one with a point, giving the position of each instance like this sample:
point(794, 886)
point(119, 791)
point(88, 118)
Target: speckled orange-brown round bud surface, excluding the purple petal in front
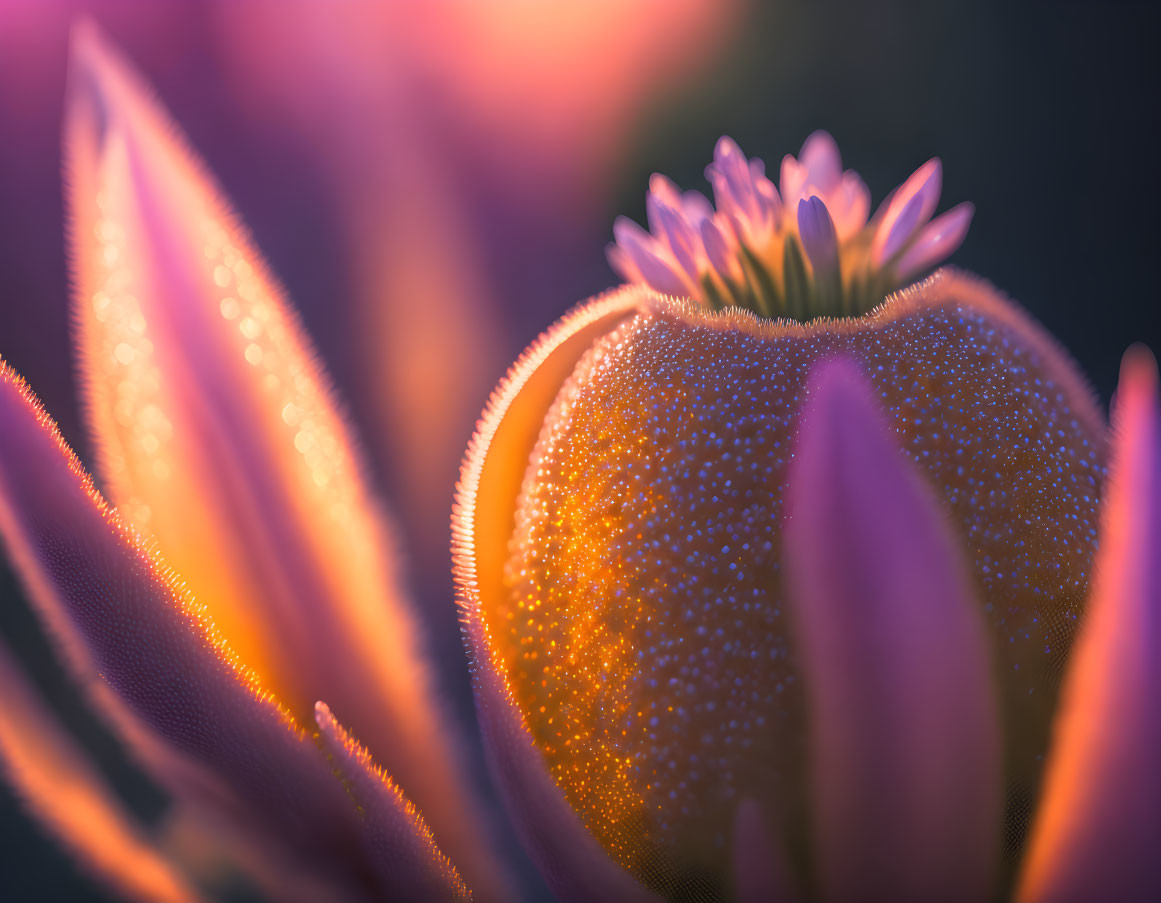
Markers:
point(644, 633)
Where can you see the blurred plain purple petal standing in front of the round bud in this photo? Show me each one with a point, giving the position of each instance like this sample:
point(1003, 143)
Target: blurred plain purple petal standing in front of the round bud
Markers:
point(896, 664)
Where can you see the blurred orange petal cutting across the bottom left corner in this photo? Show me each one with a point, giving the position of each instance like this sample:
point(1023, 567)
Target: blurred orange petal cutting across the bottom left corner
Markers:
point(67, 794)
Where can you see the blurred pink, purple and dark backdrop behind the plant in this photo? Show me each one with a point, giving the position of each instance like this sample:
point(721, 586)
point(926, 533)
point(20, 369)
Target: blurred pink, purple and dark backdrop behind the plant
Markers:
point(436, 183)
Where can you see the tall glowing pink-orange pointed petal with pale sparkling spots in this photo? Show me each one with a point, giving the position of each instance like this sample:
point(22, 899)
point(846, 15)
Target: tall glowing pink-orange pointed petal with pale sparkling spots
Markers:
point(220, 437)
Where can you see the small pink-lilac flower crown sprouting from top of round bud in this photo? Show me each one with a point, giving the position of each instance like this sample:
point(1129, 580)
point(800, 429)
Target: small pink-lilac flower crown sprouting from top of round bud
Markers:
point(803, 250)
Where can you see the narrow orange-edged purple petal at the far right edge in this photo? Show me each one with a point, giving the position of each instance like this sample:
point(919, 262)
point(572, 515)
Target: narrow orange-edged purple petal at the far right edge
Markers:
point(1099, 832)
